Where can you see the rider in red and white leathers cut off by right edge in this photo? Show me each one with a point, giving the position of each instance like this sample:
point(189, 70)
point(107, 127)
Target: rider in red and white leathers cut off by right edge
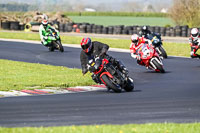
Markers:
point(194, 41)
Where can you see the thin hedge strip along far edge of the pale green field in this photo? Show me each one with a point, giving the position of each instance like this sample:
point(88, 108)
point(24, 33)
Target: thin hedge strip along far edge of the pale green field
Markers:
point(133, 14)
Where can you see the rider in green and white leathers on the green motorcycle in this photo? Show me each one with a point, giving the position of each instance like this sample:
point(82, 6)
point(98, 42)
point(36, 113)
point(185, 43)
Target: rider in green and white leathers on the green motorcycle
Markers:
point(44, 31)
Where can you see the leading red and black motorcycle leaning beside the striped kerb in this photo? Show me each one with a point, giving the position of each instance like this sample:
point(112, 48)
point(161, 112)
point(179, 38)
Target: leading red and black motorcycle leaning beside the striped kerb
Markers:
point(109, 75)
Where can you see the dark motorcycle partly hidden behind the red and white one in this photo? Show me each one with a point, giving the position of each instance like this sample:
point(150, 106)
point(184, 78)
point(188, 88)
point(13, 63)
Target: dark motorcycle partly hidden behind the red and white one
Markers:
point(157, 43)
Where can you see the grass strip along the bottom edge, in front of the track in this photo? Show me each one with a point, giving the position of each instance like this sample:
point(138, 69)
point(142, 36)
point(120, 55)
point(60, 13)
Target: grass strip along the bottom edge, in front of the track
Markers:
point(130, 128)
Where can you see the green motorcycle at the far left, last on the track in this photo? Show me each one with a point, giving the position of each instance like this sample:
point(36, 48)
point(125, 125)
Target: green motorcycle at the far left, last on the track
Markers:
point(54, 41)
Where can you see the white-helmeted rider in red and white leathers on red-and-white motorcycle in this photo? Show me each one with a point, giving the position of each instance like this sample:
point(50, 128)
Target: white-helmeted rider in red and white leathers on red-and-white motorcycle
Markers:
point(136, 43)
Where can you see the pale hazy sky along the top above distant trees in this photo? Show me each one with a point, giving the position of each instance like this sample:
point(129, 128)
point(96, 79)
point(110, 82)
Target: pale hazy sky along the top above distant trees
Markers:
point(112, 5)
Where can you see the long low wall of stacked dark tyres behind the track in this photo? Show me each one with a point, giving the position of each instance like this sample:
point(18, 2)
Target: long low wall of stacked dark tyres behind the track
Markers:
point(182, 31)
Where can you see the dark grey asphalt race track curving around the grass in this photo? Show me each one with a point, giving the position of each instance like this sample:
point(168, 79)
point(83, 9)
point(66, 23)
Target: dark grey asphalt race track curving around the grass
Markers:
point(170, 97)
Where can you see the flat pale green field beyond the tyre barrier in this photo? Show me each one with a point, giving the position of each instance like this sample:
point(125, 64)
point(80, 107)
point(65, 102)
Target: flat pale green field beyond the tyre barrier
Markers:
point(125, 20)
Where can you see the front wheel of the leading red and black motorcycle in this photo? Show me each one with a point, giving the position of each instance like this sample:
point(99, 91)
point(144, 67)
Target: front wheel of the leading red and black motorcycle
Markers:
point(110, 84)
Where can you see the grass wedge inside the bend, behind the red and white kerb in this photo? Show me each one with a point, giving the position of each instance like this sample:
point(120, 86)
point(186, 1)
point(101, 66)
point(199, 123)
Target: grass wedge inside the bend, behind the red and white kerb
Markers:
point(20, 75)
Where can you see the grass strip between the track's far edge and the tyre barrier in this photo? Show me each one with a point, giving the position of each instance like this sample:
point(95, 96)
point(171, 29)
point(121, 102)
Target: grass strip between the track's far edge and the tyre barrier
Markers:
point(174, 49)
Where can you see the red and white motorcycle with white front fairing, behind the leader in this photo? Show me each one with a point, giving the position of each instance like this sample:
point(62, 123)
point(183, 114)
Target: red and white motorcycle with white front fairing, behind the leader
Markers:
point(150, 57)
